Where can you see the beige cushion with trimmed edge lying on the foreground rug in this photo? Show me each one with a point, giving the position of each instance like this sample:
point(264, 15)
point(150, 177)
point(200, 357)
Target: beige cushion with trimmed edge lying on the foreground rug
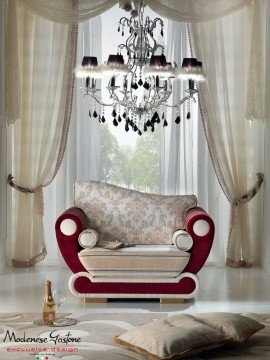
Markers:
point(183, 335)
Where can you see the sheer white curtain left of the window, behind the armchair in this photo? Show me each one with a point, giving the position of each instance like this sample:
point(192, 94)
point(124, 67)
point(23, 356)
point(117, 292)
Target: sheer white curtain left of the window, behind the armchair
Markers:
point(81, 160)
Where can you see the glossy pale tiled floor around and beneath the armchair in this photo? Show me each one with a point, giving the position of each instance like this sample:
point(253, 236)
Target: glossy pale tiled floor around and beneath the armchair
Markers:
point(221, 289)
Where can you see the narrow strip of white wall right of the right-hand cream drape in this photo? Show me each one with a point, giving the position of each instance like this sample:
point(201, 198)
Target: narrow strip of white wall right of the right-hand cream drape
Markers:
point(266, 232)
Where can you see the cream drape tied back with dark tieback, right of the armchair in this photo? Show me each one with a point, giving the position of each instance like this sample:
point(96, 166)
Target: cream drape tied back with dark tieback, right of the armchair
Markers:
point(226, 49)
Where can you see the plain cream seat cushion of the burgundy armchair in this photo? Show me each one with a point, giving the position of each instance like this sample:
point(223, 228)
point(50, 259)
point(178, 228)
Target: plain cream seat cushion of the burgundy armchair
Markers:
point(140, 262)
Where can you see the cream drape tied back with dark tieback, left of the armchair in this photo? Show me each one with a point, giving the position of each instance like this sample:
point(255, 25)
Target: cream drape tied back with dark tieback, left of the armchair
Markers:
point(46, 59)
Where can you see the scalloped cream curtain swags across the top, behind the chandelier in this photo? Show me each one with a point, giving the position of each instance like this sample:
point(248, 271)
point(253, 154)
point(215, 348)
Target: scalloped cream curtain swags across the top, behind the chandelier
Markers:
point(71, 11)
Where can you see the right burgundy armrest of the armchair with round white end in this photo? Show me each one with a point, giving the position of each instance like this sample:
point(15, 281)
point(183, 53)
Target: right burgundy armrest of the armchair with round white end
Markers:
point(201, 228)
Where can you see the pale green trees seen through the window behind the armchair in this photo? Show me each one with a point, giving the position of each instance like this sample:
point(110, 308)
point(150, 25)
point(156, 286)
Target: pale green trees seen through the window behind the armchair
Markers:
point(137, 168)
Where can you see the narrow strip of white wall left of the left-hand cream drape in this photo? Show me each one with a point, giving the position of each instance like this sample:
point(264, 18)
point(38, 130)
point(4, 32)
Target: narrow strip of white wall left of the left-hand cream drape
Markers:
point(3, 143)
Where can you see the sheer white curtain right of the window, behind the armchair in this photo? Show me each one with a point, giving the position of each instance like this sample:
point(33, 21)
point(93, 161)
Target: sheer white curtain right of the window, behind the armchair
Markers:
point(186, 166)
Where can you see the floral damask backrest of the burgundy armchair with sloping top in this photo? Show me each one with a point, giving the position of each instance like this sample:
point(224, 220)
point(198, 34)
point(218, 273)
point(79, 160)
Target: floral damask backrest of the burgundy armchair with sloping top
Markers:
point(131, 216)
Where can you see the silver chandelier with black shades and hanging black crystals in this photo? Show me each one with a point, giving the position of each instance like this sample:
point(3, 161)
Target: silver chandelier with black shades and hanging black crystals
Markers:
point(139, 88)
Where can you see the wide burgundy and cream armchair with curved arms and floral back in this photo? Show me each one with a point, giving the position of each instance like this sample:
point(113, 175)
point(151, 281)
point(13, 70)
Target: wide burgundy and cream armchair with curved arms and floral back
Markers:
point(132, 271)
